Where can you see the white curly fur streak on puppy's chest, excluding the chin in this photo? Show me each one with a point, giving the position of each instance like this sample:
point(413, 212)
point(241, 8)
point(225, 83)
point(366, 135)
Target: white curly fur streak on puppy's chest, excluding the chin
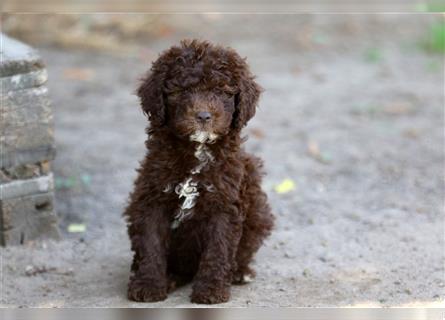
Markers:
point(190, 188)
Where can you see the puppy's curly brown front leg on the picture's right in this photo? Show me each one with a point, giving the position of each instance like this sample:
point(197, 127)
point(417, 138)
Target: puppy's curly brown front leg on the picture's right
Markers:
point(213, 279)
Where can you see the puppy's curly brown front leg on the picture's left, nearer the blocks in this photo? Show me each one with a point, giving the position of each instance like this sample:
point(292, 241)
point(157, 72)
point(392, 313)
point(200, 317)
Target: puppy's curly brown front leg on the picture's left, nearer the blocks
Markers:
point(149, 282)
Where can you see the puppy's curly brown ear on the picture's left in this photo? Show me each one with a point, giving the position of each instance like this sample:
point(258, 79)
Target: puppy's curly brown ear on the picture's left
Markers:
point(150, 93)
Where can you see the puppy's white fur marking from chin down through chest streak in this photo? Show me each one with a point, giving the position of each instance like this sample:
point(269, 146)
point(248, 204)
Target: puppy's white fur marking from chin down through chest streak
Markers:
point(188, 189)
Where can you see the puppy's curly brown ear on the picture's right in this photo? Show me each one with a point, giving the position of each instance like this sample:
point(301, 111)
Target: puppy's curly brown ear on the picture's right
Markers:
point(246, 99)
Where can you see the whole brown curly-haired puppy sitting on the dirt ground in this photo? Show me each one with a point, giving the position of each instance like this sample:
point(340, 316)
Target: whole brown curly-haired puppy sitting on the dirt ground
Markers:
point(197, 210)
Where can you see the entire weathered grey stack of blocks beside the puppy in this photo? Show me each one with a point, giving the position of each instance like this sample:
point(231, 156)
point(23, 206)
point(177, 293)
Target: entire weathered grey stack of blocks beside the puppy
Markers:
point(27, 147)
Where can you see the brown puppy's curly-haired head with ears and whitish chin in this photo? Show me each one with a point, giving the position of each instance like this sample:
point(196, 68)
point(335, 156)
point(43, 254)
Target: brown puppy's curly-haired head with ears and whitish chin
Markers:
point(199, 91)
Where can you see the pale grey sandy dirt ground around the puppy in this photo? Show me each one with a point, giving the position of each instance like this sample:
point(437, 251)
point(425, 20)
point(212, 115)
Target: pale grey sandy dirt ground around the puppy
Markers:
point(352, 113)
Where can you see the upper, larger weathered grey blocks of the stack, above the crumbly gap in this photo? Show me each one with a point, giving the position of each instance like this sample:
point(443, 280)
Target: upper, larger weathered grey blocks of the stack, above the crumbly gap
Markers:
point(26, 119)
